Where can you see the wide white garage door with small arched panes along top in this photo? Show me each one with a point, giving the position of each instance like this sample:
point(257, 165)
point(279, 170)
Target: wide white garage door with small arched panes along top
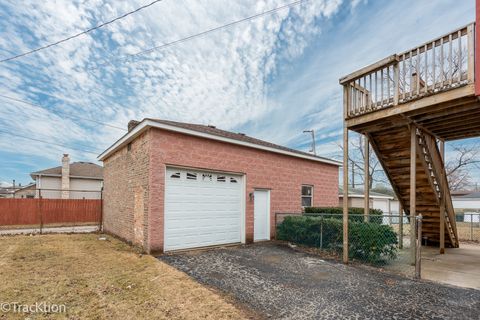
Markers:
point(201, 209)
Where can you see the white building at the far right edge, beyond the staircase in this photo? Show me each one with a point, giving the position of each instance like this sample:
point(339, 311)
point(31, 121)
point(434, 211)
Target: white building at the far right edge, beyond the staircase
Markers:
point(466, 205)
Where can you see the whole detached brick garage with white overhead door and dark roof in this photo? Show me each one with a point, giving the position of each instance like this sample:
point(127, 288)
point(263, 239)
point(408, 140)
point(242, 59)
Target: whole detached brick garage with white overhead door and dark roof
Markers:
point(171, 185)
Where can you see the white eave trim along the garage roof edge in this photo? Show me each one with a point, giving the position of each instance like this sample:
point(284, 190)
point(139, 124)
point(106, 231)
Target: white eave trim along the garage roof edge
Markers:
point(147, 123)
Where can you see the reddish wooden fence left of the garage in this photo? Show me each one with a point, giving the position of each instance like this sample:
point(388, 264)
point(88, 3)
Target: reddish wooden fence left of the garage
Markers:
point(49, 211)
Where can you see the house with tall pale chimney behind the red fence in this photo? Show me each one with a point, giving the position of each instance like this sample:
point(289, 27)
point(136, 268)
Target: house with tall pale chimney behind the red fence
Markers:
point(77, 180)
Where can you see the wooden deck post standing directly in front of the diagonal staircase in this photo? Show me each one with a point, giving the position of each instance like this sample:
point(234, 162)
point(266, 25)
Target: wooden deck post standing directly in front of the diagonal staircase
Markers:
point(413, 187)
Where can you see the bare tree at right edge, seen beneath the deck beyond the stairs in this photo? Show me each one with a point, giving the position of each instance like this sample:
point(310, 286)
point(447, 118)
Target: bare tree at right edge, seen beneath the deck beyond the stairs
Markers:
point(458, 170)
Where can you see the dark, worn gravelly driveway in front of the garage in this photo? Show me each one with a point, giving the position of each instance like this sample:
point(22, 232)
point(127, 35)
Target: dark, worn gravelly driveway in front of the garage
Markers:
point(278, 282)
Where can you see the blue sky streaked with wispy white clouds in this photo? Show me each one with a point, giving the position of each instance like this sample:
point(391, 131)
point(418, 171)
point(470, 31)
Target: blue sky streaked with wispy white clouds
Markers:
point(271, 77)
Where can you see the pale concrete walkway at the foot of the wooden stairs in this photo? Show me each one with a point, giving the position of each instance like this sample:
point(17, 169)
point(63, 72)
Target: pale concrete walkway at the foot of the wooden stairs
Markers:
point(458, 266)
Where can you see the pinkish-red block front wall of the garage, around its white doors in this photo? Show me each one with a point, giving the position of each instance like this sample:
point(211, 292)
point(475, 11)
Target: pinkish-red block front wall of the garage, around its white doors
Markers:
point(283, 174)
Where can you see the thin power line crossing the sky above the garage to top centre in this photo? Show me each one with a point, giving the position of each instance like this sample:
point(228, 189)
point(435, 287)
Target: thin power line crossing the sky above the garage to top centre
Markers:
point(175, 42)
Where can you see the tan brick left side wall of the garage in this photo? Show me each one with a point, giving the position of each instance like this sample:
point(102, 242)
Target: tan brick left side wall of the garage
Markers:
point(126, 183)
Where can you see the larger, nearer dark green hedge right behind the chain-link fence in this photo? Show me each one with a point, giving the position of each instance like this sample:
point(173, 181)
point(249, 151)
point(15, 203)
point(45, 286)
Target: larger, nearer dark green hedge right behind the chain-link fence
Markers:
point(369, 242)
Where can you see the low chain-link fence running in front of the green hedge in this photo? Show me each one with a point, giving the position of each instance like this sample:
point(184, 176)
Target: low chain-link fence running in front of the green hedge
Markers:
point(381, 241)
